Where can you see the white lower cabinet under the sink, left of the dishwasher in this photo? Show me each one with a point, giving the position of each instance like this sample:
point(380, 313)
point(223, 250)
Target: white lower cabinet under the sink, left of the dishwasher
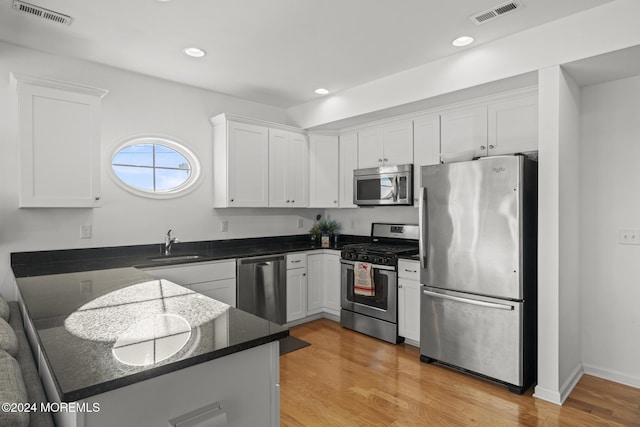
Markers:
point(215, 279)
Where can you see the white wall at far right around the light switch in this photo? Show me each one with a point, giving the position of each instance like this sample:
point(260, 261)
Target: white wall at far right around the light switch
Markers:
point(610, 201)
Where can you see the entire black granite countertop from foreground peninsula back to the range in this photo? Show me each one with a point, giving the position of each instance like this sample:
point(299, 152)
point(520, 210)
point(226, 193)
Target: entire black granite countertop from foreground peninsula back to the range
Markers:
point(103, 324)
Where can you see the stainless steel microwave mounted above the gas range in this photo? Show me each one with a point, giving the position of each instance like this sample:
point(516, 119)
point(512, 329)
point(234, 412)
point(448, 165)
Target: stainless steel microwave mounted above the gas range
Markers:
point(384, 186)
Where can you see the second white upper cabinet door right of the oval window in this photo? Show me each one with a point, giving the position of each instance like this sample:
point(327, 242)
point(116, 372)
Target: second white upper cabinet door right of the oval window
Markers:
point(279, 168)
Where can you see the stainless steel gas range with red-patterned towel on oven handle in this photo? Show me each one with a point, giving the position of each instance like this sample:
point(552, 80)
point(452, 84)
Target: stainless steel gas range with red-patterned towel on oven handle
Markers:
point(369, 280)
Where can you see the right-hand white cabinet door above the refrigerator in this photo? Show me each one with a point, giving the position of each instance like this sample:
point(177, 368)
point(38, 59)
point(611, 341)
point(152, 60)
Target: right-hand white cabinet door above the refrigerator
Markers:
point(513, 125)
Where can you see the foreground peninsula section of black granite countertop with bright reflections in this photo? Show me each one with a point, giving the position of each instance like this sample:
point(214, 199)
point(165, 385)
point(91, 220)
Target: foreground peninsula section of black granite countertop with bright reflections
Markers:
point(105, 329)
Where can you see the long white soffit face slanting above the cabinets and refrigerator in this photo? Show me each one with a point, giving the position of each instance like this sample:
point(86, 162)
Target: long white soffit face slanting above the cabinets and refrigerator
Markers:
point(609, 27)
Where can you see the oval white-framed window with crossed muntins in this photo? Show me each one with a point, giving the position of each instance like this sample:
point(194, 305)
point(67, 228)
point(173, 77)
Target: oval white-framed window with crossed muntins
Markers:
point(155, 166)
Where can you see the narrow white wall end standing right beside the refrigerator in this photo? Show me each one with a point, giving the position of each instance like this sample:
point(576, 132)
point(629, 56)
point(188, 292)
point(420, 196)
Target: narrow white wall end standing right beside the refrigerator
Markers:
point(559, 366)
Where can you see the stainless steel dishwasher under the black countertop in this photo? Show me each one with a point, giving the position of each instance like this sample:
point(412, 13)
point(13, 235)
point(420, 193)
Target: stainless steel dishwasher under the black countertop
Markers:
point(262, 287)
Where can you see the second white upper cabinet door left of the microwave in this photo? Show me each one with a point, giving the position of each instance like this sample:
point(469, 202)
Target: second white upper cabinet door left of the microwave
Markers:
point(323, 171)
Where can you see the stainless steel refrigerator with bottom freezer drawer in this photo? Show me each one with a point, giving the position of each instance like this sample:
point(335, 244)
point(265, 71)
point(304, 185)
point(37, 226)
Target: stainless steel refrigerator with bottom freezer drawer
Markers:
point(478, 234)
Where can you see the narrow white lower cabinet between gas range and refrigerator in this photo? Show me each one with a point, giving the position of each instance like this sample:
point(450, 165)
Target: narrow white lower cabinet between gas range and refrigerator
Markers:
point(409, 300)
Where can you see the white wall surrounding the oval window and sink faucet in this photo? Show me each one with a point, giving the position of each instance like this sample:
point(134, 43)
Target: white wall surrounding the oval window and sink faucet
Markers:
point(135, 105)
